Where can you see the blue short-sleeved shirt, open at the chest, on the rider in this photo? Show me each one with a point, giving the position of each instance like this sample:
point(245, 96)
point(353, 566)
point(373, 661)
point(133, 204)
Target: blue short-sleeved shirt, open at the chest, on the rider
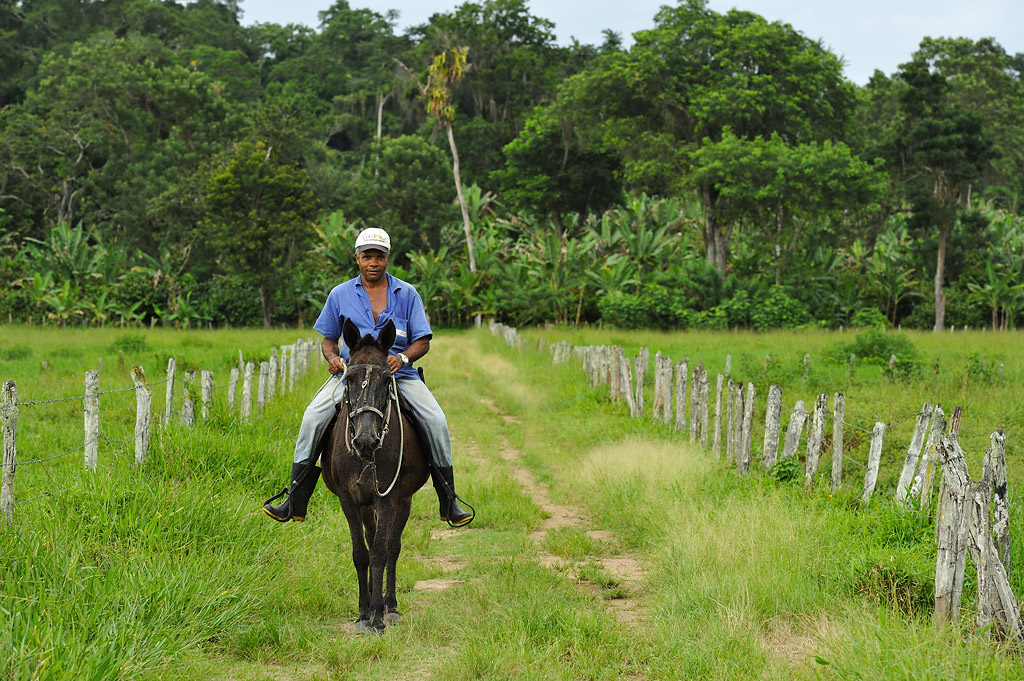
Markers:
point(405, 308)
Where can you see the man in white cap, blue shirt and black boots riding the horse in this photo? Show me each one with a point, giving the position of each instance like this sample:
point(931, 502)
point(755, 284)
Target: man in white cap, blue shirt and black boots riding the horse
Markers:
point(370, 302)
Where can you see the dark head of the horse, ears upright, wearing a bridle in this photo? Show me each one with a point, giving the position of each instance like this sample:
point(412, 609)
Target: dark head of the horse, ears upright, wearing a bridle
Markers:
point(368, 389)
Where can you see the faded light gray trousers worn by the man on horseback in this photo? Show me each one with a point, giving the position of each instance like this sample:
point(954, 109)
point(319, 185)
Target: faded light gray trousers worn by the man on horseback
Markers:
point(420, 400)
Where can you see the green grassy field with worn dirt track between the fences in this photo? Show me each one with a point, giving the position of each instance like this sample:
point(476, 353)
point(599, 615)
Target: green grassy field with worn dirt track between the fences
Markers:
point(170, 571)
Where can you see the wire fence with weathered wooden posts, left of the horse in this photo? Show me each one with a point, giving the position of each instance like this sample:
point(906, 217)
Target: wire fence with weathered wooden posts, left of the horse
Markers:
point(257, 381)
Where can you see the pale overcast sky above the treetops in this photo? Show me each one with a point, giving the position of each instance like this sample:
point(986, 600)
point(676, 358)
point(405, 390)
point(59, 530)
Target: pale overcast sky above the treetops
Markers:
point(869, 34)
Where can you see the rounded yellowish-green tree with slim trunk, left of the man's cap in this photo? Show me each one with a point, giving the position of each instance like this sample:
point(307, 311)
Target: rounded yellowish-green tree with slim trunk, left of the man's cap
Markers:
point(259, 218)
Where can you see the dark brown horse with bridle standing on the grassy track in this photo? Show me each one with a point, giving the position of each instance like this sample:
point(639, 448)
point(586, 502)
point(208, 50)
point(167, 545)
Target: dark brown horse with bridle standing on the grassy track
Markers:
point(375, 463)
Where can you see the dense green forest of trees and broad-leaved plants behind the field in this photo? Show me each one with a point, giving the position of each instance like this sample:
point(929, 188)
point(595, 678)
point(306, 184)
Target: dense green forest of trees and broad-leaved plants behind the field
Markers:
point(160, 163)
